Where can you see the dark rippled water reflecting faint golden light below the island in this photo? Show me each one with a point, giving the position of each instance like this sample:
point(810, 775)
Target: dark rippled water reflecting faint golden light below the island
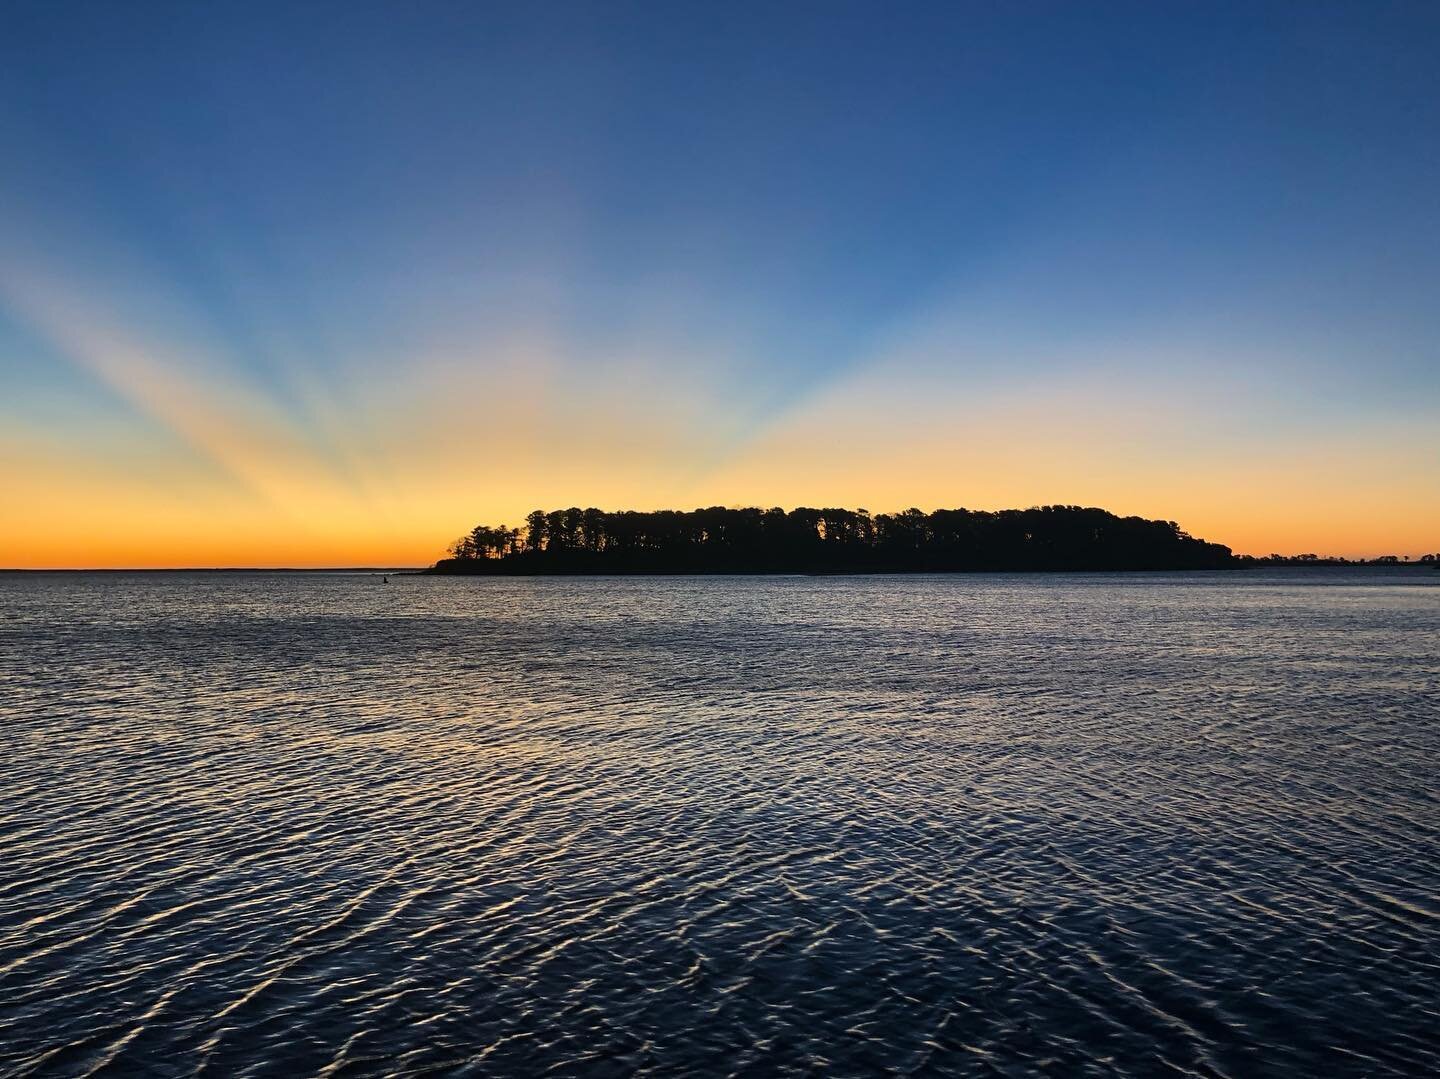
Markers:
point(292, 825)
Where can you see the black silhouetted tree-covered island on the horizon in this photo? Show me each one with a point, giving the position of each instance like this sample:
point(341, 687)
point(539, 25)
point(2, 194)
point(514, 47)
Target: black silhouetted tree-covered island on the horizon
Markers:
point(830, 541)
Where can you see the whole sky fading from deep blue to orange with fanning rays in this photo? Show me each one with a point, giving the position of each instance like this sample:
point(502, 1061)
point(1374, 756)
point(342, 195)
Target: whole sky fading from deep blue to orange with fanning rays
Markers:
point(328, 285)
